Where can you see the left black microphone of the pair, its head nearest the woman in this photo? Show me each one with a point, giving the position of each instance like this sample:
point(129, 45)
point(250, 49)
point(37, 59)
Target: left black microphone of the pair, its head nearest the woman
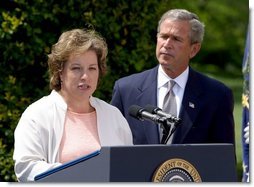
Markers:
point(141, 114)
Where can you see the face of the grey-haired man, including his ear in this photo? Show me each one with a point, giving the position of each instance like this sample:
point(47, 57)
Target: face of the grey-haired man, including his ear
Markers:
point(174, 48)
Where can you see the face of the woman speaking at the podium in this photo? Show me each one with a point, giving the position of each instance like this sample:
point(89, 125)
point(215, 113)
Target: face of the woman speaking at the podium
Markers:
point(80, 76)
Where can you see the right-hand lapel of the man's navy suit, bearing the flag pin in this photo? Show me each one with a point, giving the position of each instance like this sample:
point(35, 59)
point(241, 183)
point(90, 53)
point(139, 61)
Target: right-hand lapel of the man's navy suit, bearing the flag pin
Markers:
point(190, 106)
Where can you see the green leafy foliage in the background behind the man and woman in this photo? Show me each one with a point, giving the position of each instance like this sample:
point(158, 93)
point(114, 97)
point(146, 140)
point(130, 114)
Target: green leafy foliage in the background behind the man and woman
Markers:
point(29, 28)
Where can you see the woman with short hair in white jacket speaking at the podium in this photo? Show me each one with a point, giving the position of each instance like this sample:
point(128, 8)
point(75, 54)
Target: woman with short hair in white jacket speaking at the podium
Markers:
point(69, 122)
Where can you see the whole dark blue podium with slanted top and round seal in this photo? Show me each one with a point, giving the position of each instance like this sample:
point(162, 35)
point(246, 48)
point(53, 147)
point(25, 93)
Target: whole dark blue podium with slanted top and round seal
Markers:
point(150, 163)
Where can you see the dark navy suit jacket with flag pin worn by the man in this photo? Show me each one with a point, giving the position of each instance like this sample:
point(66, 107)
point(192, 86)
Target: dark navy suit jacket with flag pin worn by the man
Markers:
point(206, 111)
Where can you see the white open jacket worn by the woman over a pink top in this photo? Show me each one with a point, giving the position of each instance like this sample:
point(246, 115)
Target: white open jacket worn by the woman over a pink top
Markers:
point(40, 128)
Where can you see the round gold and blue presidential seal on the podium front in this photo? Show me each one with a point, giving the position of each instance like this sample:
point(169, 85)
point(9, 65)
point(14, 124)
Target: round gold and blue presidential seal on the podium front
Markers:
point(176, 170)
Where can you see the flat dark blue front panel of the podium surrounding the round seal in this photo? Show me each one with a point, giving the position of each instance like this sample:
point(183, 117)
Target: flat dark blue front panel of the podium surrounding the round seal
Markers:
point(214, 163)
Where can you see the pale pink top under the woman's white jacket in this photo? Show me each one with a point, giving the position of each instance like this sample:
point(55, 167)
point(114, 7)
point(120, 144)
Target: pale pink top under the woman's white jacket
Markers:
point(80, 136)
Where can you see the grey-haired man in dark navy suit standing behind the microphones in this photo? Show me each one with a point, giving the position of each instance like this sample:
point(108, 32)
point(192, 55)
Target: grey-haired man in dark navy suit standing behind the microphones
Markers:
point(205, 105)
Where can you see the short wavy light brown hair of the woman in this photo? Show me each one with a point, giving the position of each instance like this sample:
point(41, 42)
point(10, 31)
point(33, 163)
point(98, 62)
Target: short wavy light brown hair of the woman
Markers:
point(76, 41)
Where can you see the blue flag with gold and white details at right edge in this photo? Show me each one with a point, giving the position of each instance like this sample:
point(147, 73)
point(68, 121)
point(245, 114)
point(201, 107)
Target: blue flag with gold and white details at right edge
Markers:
point(245, 112)
